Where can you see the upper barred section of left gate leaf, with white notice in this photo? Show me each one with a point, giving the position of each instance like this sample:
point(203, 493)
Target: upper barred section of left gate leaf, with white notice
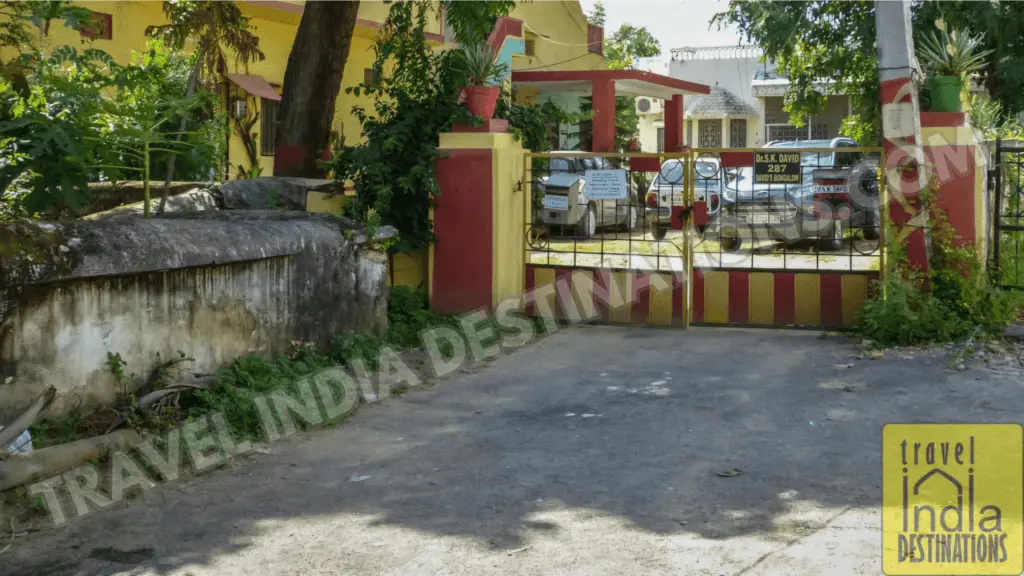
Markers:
point(592, 211)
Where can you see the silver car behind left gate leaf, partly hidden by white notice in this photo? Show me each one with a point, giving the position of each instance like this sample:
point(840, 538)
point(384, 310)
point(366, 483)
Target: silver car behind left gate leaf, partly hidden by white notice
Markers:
point(566, 203)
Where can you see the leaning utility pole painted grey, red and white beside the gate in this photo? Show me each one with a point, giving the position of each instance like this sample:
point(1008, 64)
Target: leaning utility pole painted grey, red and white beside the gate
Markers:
point(902, 128)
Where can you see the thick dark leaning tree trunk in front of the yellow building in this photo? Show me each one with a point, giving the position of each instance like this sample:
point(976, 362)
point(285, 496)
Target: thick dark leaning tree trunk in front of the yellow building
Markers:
point(313, 81)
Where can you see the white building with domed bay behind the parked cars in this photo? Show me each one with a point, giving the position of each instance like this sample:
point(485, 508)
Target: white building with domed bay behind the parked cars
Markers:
point(745, 109)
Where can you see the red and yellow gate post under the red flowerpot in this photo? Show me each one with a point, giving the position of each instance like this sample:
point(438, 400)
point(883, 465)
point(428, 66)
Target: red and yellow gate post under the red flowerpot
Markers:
point(480, 223)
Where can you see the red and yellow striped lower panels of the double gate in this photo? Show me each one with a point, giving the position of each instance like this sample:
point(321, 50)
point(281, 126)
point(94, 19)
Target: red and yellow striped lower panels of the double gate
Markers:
point(812, 300)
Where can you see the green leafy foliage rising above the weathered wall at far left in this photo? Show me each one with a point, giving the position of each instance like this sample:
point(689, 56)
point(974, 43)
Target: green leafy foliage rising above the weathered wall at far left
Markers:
point(58, 131)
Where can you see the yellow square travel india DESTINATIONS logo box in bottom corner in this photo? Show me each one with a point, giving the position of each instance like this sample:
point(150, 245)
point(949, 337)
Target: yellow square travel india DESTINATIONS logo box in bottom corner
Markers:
point(953, 500)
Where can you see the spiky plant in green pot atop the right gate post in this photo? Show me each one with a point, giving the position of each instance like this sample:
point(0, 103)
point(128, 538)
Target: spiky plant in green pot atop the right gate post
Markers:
point(949, 57)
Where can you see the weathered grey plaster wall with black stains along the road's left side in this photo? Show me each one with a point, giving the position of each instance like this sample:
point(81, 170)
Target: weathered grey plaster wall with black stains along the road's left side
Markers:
point(214, 285)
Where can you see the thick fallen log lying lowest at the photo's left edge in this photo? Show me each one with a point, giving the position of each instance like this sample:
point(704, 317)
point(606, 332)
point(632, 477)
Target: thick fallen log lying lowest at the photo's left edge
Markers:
point(25, 469)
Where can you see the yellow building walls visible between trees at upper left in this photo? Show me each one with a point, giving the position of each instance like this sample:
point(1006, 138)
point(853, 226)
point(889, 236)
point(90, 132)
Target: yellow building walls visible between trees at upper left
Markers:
point(557, 36)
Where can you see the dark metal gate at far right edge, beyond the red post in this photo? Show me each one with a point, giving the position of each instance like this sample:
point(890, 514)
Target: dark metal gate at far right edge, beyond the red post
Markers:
point(1008, 250)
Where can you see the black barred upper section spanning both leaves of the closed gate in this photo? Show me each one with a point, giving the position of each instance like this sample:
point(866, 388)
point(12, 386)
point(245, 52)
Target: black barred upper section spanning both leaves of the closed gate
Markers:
point(778, 209)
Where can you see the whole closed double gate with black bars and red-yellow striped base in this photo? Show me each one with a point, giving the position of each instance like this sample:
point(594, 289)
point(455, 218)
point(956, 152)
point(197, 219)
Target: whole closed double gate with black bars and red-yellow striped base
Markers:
point(703, 236)
